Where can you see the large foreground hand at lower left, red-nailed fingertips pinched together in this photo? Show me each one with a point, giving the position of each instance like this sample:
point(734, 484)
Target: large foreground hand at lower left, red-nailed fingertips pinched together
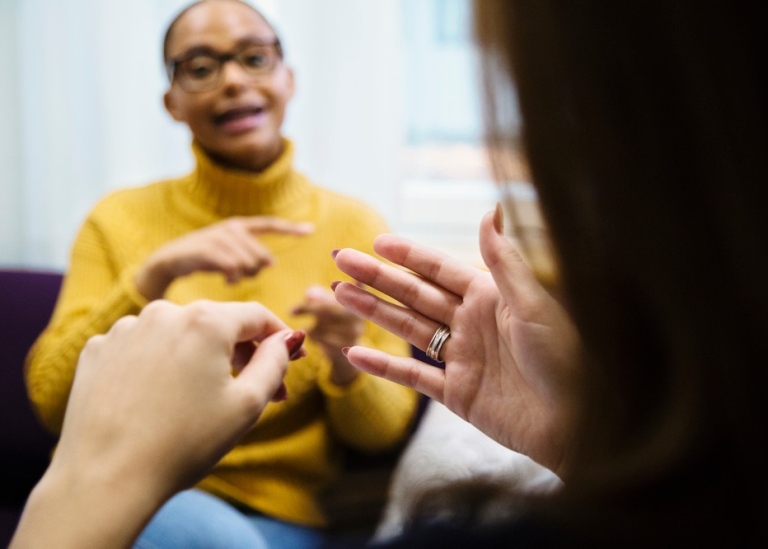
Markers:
point(154, 405)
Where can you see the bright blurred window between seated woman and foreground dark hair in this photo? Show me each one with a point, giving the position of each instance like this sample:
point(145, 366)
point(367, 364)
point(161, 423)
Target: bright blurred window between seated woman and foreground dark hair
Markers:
point(446, 187)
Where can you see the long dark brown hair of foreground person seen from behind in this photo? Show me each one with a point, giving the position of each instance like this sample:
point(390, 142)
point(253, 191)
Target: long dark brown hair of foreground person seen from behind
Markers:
point(646, 128)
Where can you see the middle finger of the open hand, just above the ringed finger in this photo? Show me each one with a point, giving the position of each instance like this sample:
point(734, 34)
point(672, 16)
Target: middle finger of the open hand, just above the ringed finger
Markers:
point(407, 288)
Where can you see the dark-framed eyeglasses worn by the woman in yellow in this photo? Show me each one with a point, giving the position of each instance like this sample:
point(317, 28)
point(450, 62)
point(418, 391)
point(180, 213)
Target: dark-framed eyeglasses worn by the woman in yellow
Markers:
point(200, 70)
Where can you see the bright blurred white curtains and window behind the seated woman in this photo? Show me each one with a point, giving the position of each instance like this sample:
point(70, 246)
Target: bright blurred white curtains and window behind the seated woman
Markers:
point(386, 110)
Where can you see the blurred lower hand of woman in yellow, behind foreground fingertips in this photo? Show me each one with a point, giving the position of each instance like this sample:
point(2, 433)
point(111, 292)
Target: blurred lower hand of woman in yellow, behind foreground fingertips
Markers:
point(334, 329)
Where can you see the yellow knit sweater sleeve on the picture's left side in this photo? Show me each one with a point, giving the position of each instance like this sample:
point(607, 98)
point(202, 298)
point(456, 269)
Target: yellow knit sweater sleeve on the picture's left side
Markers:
point(94, 295)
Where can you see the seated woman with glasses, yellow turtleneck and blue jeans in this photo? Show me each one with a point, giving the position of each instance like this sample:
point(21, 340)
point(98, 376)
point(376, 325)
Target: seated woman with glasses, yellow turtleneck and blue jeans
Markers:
point(243, 226)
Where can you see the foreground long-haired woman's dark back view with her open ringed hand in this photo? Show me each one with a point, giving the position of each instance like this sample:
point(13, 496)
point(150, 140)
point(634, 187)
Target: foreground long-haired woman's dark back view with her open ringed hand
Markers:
point(645, 128)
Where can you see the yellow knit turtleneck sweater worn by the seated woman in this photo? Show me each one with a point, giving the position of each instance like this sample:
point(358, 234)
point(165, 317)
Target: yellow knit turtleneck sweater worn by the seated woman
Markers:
point(295, 449)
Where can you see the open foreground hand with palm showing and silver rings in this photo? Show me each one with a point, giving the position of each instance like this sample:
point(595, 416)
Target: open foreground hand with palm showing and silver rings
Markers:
point(512, 352)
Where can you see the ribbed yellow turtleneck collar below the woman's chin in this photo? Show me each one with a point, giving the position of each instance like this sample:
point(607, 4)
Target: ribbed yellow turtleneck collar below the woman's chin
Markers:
point(230, 192)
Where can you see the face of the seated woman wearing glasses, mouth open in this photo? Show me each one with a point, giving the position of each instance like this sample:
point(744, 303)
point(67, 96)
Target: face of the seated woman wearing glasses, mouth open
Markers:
point(238, 122)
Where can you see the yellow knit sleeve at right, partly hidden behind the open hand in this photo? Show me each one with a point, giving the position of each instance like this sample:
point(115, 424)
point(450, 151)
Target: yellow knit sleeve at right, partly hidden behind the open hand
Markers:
point(370, 414)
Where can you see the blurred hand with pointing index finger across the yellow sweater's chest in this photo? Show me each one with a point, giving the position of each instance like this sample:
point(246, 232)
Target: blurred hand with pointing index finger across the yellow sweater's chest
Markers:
point(229, 247)
